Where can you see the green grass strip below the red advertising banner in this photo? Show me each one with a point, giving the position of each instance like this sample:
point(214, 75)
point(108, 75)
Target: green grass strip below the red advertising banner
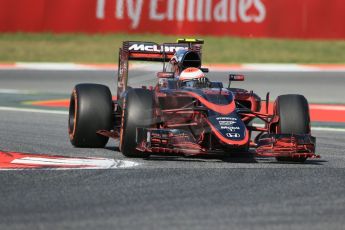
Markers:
point(103, 48)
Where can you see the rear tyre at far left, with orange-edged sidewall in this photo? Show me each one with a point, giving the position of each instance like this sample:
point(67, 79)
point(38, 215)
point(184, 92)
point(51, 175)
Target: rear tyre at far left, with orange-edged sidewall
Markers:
point(90, 110)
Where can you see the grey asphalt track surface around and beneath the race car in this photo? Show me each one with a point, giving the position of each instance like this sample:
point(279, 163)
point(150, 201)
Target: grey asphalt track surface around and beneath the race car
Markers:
point(167, 192)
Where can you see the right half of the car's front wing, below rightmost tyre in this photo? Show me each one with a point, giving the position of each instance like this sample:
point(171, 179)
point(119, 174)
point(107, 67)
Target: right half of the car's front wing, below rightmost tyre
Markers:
point(287, 145)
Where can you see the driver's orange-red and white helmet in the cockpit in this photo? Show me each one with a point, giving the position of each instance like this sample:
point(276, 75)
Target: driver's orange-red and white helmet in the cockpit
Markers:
point(193, 77)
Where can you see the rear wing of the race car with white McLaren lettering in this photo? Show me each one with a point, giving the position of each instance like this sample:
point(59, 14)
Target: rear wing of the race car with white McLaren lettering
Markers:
point(149, 51)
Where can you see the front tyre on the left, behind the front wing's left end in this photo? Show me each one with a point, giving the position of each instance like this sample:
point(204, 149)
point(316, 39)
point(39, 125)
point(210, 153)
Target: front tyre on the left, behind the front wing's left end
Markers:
point(137, 113)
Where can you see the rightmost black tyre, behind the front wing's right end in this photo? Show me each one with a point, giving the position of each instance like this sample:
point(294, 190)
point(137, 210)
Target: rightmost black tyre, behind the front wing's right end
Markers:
point(293, 111)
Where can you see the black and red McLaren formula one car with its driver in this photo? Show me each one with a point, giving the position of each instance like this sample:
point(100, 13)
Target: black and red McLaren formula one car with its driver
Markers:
point(186, 113)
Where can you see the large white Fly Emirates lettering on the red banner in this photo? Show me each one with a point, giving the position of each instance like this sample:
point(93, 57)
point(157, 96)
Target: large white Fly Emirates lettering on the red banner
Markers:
point(232, 11)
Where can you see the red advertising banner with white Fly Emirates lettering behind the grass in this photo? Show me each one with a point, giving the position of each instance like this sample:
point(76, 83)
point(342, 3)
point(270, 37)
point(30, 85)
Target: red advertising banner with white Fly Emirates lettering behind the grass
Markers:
point(312, 19)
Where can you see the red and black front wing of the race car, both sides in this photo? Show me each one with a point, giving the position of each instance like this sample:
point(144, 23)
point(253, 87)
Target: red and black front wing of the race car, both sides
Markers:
point(176, 141)
